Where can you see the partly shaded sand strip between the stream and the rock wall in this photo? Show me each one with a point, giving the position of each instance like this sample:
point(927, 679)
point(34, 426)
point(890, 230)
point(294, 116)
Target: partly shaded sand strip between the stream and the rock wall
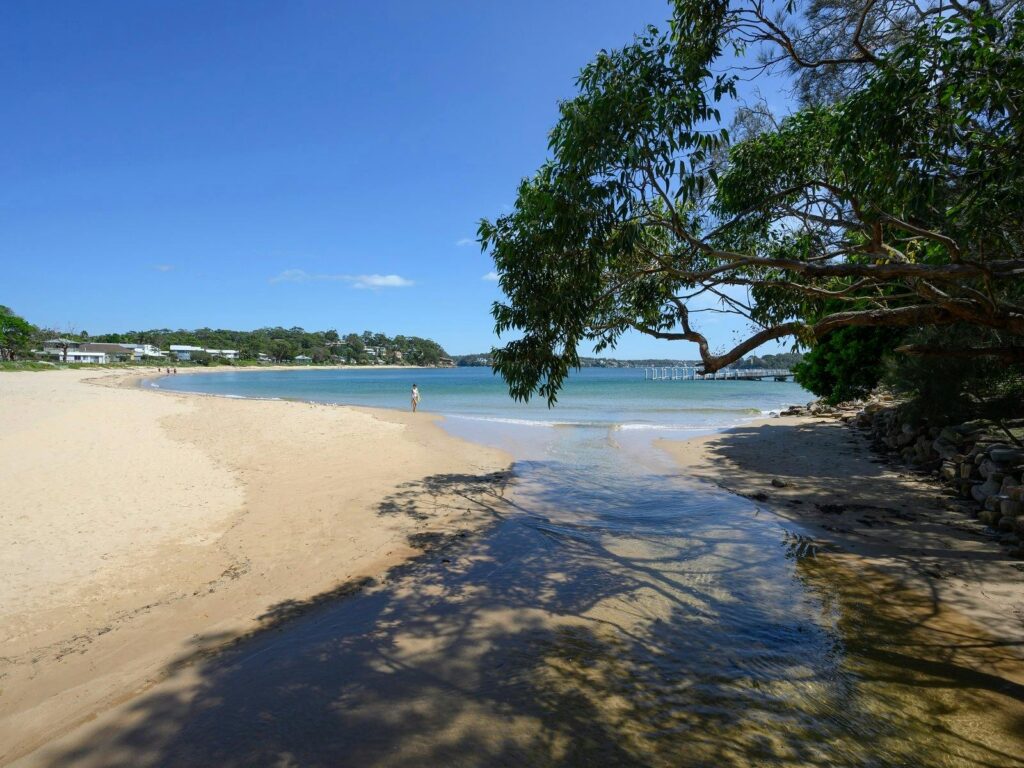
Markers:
point(823, 475)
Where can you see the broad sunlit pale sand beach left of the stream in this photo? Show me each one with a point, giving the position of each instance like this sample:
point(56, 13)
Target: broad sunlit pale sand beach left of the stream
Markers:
point(138, 525)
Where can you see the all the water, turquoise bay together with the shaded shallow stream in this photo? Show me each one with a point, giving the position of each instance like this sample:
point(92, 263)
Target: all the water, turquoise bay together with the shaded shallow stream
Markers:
point(615, 614)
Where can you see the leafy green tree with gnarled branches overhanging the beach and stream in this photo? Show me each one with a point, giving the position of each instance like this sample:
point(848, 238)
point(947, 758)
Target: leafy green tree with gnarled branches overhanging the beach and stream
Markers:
point(892, 198)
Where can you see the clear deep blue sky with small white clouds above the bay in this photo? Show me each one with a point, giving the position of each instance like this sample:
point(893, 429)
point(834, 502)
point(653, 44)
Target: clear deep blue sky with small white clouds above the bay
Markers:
point(248, 164)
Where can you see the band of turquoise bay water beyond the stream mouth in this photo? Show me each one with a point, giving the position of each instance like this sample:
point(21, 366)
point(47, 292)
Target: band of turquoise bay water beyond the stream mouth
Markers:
point(619, 399)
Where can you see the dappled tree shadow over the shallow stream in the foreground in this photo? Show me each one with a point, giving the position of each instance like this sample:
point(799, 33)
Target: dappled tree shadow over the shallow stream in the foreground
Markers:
point(550, 642)
